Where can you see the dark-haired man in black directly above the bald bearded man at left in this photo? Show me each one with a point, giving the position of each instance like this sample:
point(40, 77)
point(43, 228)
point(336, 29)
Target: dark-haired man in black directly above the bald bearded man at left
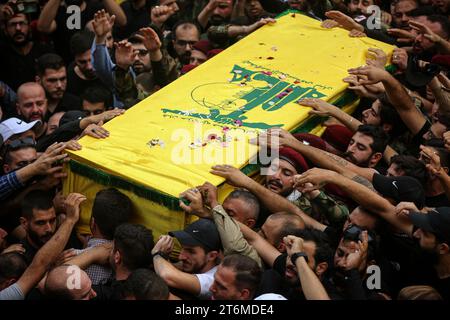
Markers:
point(52, 75)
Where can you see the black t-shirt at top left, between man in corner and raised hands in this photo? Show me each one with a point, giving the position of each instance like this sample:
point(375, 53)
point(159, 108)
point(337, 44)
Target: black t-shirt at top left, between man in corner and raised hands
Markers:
point(61, 36)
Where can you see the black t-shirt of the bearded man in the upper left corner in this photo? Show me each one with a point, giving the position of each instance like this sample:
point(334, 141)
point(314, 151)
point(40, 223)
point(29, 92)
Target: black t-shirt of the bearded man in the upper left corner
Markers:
point(17, 69)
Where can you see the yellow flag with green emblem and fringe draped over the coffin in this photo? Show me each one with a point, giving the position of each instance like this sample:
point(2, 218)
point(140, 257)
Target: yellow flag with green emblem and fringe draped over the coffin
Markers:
point(168, 142)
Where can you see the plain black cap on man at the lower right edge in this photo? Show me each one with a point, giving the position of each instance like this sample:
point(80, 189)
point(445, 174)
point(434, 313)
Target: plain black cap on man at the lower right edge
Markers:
point(436, 222)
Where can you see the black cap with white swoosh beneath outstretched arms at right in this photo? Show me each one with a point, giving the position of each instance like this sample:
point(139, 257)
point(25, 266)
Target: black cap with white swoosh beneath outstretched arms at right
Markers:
point(400, 189)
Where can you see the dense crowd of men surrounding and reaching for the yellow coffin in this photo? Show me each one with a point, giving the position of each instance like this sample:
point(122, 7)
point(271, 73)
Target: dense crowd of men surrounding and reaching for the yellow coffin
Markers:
point(363, 212)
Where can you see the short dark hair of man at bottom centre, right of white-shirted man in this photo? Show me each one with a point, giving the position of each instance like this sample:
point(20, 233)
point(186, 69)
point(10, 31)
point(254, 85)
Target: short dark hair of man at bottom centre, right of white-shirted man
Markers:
point(248, 272)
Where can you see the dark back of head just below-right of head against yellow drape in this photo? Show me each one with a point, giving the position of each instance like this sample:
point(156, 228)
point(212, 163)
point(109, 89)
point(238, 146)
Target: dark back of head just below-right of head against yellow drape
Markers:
point(135, 243)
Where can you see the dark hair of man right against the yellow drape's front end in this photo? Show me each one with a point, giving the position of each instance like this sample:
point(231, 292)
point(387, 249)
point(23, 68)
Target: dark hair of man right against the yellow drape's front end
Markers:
point(111, 208)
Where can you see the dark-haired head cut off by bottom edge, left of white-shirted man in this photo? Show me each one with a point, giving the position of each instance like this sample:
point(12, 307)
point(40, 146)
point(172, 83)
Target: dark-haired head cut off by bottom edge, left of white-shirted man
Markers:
point(145, 284)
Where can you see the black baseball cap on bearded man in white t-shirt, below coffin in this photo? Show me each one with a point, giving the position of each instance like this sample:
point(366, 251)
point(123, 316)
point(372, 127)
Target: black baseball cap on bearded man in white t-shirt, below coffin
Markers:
point(202, 232)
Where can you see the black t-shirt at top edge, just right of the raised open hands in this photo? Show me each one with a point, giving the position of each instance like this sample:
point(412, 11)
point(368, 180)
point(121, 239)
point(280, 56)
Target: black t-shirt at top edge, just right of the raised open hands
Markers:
point(136, 19)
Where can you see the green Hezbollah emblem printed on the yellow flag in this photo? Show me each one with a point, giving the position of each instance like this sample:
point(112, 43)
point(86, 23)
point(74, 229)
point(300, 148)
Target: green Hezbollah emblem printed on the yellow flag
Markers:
point(273, 95)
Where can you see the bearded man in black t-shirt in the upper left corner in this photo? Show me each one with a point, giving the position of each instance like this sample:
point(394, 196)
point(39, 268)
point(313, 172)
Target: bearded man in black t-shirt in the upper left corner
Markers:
point(19, 53)
